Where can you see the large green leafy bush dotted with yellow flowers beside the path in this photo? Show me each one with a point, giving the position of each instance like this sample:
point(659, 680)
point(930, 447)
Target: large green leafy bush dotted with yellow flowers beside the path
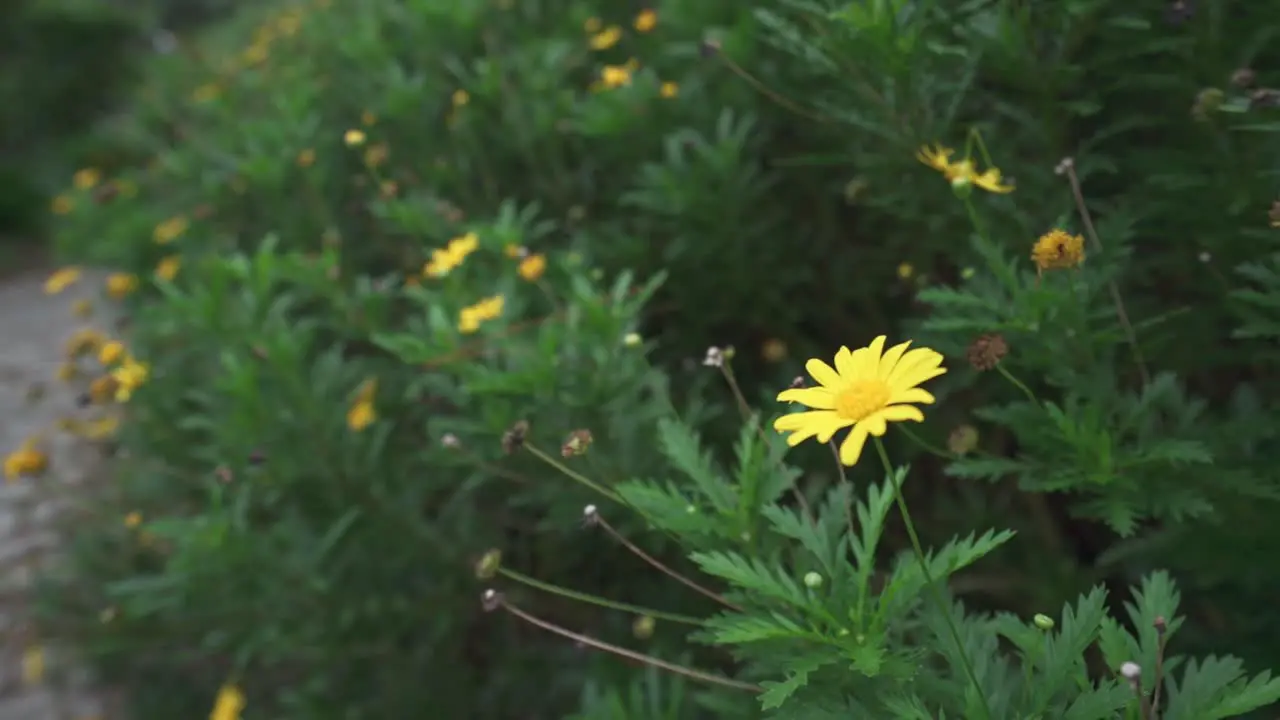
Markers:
point(333, 197)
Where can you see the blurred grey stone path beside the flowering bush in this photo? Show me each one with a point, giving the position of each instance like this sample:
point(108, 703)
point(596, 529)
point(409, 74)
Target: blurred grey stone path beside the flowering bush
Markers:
point(34, 332)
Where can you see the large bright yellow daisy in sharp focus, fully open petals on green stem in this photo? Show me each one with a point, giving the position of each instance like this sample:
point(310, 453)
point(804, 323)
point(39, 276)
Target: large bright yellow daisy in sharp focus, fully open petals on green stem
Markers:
point(867, 390)
